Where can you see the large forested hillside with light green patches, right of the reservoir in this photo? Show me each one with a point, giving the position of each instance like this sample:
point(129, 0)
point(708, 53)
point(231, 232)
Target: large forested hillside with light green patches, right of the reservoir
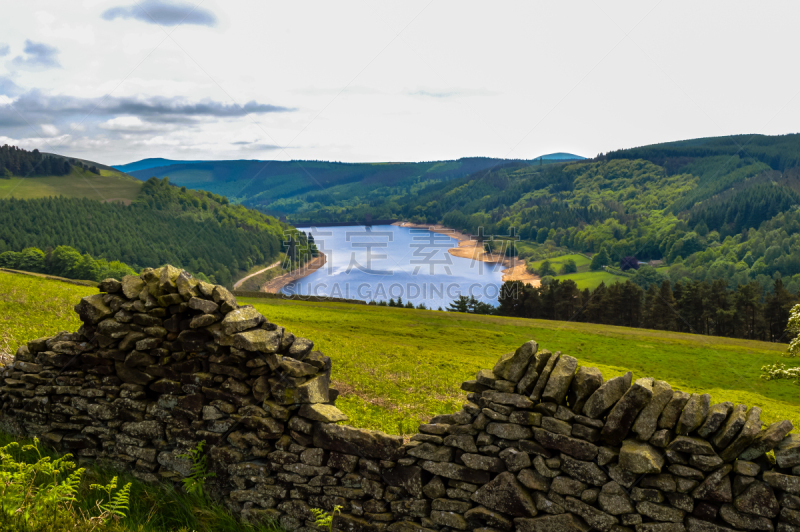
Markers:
point(710, 209)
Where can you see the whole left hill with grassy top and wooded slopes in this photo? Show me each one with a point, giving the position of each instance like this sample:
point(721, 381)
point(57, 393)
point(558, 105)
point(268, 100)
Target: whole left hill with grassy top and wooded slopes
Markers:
point(93, 221)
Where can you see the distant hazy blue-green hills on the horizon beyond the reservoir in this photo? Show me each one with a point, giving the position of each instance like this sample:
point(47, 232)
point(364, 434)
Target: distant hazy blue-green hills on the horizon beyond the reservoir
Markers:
point(291, 187)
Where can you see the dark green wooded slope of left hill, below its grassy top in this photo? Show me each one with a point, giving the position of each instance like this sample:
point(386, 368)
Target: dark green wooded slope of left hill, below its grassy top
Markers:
point(199, 231)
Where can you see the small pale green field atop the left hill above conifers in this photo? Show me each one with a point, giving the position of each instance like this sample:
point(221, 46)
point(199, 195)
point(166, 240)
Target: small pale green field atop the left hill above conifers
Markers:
point(110, 185)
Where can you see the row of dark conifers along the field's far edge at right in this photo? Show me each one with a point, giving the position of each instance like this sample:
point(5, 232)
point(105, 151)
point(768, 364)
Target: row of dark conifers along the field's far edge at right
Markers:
point(698, 307)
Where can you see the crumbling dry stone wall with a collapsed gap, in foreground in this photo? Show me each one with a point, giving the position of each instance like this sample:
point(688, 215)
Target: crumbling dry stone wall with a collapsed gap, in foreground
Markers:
point(163, 361)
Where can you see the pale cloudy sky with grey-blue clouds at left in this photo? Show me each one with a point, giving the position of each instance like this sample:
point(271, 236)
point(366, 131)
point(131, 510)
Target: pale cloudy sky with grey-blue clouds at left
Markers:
point(119, 80)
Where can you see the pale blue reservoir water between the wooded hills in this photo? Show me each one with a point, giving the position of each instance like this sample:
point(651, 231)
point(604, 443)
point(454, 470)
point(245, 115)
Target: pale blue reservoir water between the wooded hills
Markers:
point(386, 261)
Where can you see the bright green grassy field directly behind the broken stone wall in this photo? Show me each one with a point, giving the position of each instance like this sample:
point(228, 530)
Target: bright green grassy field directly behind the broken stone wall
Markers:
point(397, 367)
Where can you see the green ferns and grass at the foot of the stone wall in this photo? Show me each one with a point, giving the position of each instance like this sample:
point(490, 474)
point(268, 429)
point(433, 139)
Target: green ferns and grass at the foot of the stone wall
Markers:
point(45, 491)
